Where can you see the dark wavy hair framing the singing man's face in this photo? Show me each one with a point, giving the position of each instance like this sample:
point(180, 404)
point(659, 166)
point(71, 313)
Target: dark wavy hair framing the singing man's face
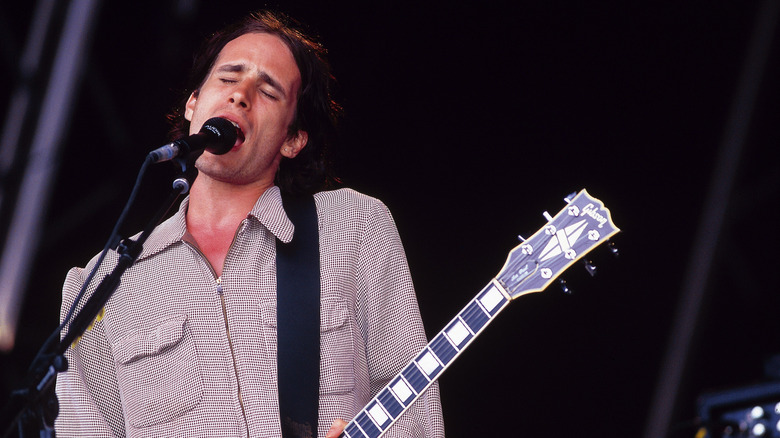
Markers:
point(316, 113)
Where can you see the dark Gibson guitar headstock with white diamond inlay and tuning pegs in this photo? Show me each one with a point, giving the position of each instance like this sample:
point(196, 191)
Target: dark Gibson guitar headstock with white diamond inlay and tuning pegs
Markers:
point(576, 230)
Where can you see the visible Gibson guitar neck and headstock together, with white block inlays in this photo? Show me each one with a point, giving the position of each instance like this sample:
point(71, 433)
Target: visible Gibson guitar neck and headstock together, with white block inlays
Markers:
point(531, 266)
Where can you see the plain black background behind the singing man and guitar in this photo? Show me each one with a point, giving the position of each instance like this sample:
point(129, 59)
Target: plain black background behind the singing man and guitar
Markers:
point(468, 120)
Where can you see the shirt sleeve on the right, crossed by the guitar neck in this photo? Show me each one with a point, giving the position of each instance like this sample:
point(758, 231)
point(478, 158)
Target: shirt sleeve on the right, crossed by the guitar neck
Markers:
point(392, 326)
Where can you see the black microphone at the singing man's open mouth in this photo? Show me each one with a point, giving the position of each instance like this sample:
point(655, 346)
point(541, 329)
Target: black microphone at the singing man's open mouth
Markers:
point(217, 136)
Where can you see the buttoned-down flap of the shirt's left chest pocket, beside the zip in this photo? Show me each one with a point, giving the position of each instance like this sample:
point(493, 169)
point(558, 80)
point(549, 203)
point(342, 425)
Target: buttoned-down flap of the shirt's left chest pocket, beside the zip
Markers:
point(150, 341)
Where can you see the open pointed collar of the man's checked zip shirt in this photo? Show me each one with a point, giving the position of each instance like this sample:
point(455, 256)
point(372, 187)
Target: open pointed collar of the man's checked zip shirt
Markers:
point(268, 210)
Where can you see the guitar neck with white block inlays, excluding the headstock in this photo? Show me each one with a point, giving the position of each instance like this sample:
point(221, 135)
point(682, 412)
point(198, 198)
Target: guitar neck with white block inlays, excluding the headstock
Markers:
point(405, 388)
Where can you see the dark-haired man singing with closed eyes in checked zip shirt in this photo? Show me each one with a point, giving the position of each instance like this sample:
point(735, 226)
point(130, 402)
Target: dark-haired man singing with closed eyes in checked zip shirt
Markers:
point(187, 345)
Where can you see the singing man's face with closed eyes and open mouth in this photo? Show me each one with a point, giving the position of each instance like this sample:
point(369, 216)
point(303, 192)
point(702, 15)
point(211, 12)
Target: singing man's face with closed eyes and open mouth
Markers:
point(254, 83)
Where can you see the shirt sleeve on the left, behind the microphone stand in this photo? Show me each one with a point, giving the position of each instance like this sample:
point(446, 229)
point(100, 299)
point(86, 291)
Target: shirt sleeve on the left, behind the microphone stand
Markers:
point(89, 406)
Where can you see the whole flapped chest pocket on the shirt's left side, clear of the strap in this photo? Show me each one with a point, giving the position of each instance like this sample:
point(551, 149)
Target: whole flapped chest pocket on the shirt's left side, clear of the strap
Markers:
point(157, 370)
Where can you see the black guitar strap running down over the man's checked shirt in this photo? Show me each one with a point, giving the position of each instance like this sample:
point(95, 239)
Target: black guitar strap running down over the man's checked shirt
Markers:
point(298, 320)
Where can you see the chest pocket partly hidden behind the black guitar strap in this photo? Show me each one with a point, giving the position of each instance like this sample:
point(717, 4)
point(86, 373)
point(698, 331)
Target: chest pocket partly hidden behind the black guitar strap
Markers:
point(337, 344)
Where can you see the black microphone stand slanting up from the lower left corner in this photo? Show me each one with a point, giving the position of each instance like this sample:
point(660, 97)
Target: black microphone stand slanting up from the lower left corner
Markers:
point(35, 406)
